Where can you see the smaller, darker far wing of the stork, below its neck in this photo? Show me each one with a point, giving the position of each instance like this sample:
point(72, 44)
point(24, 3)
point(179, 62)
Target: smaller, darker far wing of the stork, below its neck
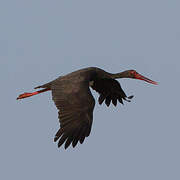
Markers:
point(110, 90)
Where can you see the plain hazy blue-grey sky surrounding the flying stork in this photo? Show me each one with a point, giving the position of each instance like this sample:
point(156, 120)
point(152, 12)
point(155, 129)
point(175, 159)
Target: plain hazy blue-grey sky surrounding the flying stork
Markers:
point(42, 39)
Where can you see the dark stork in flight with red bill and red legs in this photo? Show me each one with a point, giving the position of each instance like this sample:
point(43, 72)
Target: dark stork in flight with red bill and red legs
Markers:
point(75, 103)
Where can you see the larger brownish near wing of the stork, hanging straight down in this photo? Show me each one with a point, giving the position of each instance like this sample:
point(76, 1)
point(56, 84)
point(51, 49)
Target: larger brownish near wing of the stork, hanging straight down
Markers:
point(75, 104)
